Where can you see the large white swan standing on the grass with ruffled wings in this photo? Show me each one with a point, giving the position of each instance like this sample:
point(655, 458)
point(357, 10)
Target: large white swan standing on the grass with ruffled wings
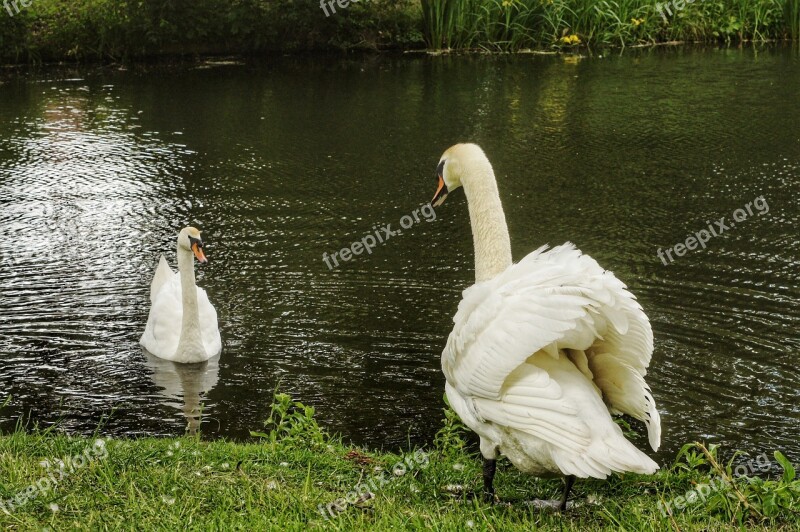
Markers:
point(545, 350)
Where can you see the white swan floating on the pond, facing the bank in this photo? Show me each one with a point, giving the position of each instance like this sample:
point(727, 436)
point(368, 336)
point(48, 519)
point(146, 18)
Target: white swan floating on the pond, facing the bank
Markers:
point(182, 326)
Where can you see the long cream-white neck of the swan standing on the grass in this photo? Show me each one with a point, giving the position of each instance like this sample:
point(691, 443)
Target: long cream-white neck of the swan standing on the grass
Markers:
point(489, 230)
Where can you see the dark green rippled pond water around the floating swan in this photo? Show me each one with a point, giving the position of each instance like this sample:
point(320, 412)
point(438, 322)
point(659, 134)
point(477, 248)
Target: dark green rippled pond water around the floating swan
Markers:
point(281, 162)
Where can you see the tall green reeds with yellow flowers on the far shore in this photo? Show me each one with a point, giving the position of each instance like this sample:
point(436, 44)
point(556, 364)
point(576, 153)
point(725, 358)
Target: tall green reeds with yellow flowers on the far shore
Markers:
point(504, 25)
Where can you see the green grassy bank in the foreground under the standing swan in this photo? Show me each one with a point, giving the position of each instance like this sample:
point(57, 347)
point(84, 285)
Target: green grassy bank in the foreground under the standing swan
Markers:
point(286, 478)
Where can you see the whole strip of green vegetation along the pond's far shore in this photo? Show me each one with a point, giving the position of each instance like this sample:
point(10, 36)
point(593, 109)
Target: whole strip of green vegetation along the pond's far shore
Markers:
point(33, 31)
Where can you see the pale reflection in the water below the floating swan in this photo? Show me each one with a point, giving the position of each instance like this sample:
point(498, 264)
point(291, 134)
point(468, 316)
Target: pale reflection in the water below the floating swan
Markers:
point(184, 385)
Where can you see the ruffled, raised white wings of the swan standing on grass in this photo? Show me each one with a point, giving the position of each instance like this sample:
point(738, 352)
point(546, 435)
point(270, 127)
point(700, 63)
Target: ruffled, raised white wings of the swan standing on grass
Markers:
point(551, 300)
